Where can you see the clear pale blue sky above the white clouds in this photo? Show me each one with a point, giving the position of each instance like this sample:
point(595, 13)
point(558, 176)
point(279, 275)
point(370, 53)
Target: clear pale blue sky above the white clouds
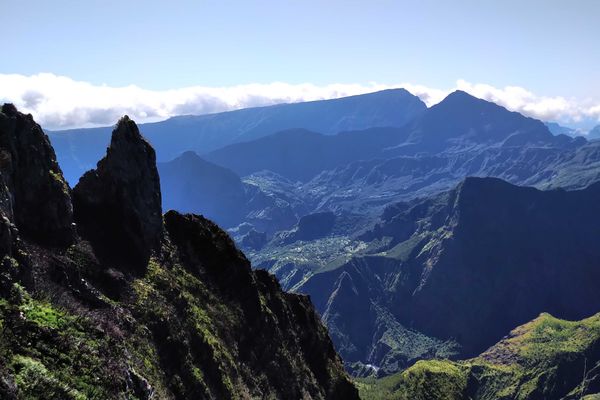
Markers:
point(547, 47)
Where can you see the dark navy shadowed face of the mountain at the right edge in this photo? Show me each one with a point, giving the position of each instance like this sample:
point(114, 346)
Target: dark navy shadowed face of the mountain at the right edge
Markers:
point(514, 252)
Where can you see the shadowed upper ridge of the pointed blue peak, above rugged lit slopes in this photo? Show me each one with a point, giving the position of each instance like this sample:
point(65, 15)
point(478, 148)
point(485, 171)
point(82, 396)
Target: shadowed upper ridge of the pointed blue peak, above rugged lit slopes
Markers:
point(458, 123)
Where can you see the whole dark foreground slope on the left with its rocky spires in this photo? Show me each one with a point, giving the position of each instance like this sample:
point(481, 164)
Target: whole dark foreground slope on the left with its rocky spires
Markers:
point(174, 312)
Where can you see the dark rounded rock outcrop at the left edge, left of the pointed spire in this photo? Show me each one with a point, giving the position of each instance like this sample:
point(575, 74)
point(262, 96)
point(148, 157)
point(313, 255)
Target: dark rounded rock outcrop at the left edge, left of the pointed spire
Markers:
point(39, 201)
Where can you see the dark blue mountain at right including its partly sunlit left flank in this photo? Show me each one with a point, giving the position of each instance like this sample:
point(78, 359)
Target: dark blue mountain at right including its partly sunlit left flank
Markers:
point(464, 266)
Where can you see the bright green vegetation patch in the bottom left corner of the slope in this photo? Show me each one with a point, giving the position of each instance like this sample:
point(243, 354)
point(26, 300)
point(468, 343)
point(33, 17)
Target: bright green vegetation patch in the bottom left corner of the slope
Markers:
point(51, 353)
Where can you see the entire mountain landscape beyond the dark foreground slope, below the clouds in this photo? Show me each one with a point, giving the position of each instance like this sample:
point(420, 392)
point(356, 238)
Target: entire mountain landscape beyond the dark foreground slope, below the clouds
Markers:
point(426, 236)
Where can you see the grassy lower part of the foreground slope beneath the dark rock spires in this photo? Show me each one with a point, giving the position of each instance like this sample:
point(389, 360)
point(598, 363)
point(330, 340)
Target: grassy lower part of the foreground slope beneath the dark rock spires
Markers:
point(172, 330)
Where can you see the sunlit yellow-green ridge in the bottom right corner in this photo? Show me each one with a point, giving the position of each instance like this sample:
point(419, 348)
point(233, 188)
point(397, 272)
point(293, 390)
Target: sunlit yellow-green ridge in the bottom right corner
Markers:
point(546, 358)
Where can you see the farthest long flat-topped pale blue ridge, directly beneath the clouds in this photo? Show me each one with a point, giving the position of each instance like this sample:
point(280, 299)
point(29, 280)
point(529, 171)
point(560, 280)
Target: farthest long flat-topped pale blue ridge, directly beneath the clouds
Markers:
point(79, 149)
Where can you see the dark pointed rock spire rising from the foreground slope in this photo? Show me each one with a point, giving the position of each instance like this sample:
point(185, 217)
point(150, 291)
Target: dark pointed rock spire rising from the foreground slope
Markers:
point(118, 205)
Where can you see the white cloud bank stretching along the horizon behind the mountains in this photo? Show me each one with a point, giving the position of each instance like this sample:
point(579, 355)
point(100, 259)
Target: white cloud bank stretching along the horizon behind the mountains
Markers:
point(59, 102)
